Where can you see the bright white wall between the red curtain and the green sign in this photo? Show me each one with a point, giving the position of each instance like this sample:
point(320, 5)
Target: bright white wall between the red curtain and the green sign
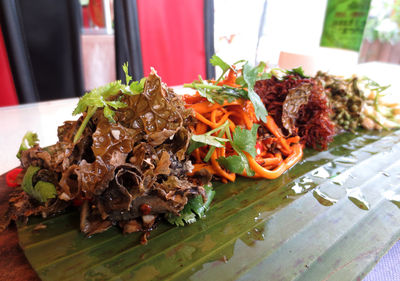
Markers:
point(292, 26)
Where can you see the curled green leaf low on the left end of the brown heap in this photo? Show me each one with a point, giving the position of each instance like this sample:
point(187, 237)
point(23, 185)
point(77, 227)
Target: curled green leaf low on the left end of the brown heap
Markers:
point(42, 191)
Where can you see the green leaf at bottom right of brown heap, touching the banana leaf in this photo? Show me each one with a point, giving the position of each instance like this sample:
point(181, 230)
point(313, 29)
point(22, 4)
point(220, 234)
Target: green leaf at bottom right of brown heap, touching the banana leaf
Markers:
point(193, 210)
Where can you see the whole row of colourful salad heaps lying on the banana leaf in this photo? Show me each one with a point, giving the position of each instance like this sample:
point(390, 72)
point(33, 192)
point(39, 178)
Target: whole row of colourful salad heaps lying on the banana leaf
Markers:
point(139, 153)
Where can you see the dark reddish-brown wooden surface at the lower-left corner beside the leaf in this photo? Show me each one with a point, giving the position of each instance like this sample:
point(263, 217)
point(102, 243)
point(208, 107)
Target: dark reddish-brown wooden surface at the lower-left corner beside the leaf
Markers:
point(13, 263)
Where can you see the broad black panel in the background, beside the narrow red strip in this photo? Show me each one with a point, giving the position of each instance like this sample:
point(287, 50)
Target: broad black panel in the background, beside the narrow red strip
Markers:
point(42, 38)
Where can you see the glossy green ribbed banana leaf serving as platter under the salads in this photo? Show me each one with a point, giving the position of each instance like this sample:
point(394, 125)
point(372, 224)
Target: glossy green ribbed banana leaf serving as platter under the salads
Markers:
point(331, 217)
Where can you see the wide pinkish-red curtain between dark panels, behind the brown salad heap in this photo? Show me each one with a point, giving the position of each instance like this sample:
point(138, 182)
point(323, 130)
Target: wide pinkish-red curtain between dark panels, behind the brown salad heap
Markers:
point(172, 39)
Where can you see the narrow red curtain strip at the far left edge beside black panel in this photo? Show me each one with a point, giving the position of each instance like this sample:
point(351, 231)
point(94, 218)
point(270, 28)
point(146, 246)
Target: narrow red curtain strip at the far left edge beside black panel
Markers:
point(8, 95)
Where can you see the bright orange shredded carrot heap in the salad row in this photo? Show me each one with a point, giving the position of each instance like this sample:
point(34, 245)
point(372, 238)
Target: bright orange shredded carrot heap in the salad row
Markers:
point(275, 152)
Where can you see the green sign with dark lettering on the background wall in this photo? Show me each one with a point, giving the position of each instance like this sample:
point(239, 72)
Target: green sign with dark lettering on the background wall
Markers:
point(344, 23)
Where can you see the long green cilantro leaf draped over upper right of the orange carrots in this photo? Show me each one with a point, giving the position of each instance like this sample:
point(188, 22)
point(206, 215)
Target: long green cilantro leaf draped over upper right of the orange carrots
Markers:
point(250, 77)
